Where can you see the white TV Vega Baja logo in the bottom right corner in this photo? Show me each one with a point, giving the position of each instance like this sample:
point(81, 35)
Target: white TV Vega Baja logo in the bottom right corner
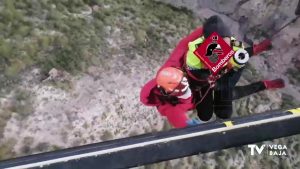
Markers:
point(273, 150)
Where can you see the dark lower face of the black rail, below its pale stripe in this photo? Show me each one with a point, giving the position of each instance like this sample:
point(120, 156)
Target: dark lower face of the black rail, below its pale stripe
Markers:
point(187, 147)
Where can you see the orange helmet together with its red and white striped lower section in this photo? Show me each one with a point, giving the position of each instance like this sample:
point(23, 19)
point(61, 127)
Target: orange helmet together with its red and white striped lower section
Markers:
point(172, 80)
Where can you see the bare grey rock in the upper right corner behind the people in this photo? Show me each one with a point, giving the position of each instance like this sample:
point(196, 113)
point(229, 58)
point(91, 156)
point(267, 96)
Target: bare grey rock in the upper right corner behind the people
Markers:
point(257, 19)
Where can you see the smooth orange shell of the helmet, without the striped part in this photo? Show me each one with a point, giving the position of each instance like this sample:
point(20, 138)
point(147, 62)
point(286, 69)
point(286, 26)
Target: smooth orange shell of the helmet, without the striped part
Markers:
point(169, 78)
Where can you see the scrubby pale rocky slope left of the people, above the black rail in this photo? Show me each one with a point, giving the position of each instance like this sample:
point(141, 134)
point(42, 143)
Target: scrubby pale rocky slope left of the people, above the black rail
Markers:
point(91, 91)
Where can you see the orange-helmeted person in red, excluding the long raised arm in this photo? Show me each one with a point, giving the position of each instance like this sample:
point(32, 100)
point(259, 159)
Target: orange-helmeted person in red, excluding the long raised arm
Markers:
point(171, 94)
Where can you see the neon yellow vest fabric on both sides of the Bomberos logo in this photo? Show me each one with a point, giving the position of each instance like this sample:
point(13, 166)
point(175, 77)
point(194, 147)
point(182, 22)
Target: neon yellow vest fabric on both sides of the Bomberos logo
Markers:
point(194, 62)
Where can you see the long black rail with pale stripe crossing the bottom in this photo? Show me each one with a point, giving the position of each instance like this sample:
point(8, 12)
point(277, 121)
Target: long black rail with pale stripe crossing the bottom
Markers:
point(172, 149)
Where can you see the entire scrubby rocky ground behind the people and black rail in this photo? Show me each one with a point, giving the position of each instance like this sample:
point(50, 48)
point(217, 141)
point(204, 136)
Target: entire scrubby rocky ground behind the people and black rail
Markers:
point(83, 65)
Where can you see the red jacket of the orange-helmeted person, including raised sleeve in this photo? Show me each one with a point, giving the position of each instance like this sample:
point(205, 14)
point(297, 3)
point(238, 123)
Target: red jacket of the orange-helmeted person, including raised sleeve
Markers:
point(151, 96)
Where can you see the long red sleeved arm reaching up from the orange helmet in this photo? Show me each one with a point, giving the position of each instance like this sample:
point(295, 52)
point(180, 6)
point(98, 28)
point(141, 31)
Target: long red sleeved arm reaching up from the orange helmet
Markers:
point(176, 58)
